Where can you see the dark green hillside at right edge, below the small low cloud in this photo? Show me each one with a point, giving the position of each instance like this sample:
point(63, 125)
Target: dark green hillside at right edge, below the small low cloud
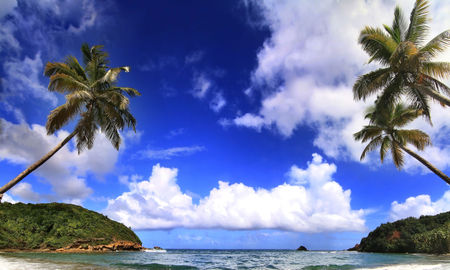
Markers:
point(427, 234)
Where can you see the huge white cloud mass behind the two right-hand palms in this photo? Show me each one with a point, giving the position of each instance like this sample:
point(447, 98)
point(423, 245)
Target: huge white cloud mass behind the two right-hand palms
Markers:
point(309, 64)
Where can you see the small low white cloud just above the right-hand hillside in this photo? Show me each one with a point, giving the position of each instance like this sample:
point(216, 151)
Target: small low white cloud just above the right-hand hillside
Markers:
point(419, 205)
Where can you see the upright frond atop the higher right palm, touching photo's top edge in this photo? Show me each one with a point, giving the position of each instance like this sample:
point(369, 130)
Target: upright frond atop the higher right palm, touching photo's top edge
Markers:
point(418, 23)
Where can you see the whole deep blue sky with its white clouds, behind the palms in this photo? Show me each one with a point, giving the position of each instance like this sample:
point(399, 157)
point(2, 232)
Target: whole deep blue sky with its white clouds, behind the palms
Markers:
point(245, 123)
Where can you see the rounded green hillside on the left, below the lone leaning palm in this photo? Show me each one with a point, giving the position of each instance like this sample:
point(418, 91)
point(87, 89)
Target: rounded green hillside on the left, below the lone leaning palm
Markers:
point(57, 225)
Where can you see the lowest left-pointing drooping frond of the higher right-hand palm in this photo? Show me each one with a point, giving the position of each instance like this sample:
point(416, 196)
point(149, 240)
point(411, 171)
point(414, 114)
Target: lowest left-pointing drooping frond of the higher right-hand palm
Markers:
point(370, 83)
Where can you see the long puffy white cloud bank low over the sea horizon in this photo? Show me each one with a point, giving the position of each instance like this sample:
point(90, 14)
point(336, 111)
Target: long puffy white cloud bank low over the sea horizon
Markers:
point(319, 204)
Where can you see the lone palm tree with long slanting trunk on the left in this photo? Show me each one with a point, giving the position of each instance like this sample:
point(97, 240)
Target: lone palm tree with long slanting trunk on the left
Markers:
point(92, 93)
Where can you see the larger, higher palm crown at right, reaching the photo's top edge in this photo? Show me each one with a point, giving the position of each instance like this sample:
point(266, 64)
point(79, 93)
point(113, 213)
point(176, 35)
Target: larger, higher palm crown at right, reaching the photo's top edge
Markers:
point(408, 68)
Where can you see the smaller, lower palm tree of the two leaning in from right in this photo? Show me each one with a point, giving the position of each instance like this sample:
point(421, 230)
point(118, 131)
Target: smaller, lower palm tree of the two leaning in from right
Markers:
point(383, 132)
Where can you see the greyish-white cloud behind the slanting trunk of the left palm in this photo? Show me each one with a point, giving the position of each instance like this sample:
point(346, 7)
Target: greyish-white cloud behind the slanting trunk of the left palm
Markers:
point(66, 171)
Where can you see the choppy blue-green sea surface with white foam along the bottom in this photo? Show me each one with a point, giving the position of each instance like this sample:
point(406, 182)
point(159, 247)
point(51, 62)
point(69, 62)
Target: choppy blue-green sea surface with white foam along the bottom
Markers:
point(224, 259)
